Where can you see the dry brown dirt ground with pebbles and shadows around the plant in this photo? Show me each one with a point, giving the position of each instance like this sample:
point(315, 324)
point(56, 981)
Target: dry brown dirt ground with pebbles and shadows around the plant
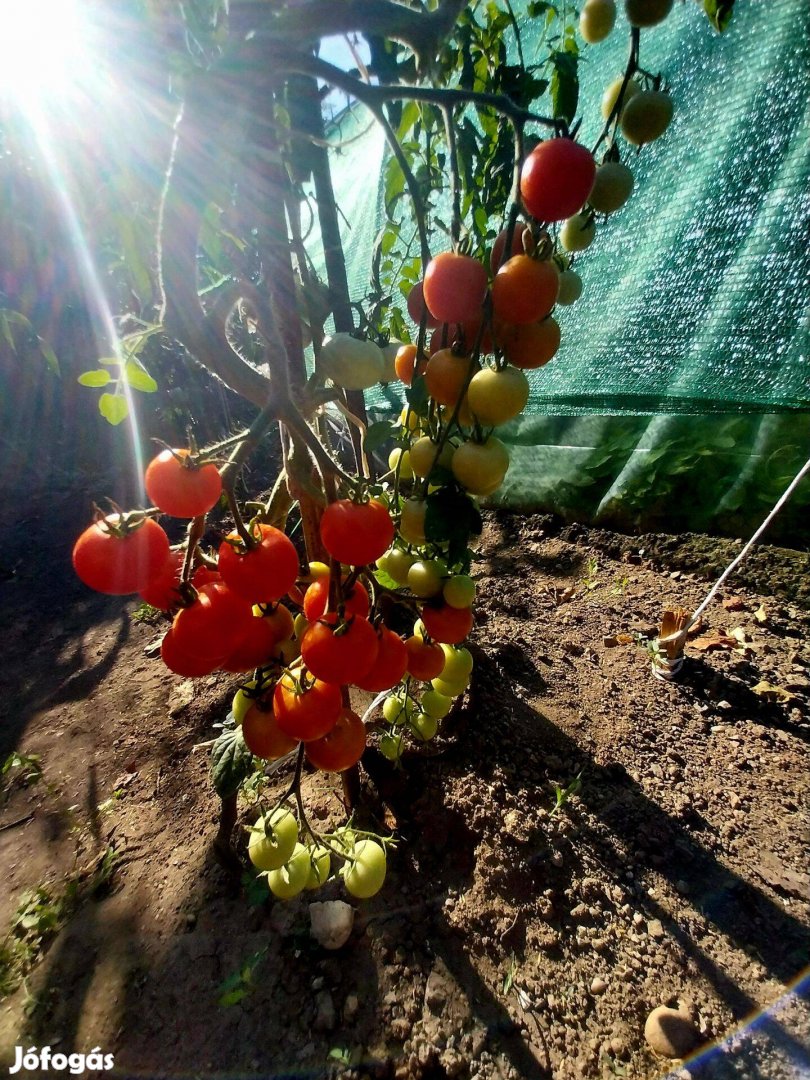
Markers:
point(510, 941)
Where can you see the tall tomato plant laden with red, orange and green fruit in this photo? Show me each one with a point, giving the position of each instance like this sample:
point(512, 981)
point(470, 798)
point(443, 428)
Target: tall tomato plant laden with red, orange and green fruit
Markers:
point(368, 528)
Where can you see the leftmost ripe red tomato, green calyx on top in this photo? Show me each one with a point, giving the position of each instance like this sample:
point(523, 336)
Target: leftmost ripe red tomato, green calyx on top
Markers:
point(119, 564)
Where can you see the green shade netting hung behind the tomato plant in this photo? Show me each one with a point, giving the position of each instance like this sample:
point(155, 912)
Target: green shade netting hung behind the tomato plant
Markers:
point(696, 302)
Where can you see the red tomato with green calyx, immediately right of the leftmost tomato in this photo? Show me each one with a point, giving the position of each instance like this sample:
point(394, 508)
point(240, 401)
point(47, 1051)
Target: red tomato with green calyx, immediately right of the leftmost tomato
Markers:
point(266, 573)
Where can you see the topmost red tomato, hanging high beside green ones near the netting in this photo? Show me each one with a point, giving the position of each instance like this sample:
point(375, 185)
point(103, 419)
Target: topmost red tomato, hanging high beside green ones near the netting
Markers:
point(557, 180)
